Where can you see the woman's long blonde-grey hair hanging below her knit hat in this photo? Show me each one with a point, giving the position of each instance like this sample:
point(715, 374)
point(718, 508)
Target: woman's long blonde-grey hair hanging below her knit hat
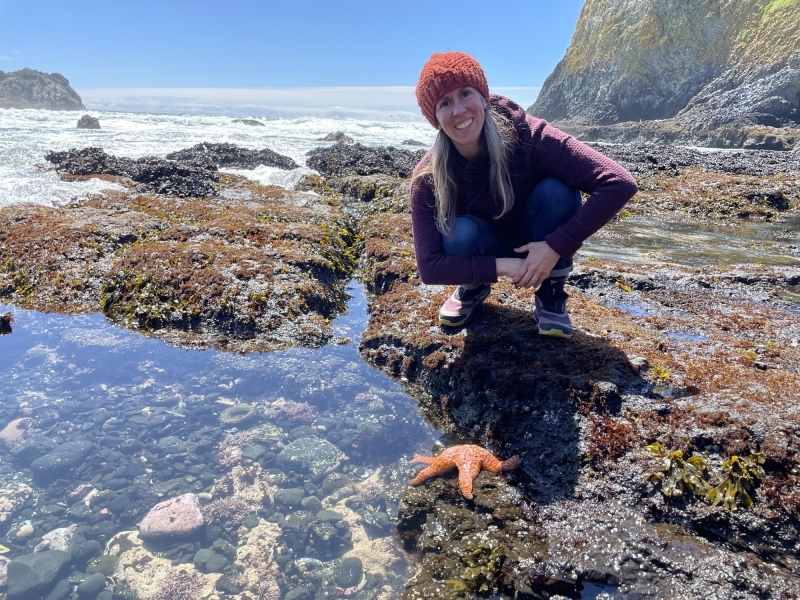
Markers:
point(497, 140)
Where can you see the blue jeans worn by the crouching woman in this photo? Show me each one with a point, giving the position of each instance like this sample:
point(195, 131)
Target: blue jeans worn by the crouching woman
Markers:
point(550, 205)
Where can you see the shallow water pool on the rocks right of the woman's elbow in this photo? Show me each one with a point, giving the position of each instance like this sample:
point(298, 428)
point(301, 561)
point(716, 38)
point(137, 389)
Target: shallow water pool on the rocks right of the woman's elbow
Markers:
point(698, 245)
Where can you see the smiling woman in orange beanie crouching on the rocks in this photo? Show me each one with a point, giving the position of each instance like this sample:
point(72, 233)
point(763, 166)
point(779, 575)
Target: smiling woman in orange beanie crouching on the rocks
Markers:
point(499, 194)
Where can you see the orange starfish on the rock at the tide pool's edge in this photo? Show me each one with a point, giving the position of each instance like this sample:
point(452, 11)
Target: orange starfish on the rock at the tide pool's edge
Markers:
point(468, 459)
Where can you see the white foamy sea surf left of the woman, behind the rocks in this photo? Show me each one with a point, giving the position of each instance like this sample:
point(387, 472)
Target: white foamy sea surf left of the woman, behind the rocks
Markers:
point(27, 135)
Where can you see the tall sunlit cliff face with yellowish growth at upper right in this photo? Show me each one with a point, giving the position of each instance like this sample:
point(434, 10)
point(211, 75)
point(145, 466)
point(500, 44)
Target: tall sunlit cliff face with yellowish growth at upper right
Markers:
point(702, 61)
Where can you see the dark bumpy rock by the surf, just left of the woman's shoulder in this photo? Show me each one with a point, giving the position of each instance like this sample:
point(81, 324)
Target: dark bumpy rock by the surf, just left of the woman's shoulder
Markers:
point(355, 159)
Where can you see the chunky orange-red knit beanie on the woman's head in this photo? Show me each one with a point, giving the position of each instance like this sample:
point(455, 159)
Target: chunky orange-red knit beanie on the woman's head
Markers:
point(444, 73)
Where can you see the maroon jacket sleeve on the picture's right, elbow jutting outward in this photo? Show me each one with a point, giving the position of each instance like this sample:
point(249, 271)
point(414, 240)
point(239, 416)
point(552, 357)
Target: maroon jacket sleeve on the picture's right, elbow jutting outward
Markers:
point(609, 185)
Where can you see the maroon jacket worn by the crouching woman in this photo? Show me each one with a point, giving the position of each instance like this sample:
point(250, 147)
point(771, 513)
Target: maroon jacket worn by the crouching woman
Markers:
point(541, 151)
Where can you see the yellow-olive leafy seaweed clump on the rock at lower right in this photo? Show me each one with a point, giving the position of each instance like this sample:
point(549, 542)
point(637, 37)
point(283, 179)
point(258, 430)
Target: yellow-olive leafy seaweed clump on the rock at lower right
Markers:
point(681, 476)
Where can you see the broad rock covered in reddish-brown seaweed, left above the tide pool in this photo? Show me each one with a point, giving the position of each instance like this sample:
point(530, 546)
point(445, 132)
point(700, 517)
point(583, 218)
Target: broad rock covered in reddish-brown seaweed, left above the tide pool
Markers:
point(259, 268)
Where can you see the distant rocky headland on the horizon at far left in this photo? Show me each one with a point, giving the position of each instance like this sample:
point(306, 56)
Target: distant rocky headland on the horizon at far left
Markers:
point(27, 88)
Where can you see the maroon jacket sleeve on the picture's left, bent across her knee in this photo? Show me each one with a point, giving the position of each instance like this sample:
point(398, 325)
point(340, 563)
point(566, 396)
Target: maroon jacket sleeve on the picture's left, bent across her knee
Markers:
point(434, 266)
